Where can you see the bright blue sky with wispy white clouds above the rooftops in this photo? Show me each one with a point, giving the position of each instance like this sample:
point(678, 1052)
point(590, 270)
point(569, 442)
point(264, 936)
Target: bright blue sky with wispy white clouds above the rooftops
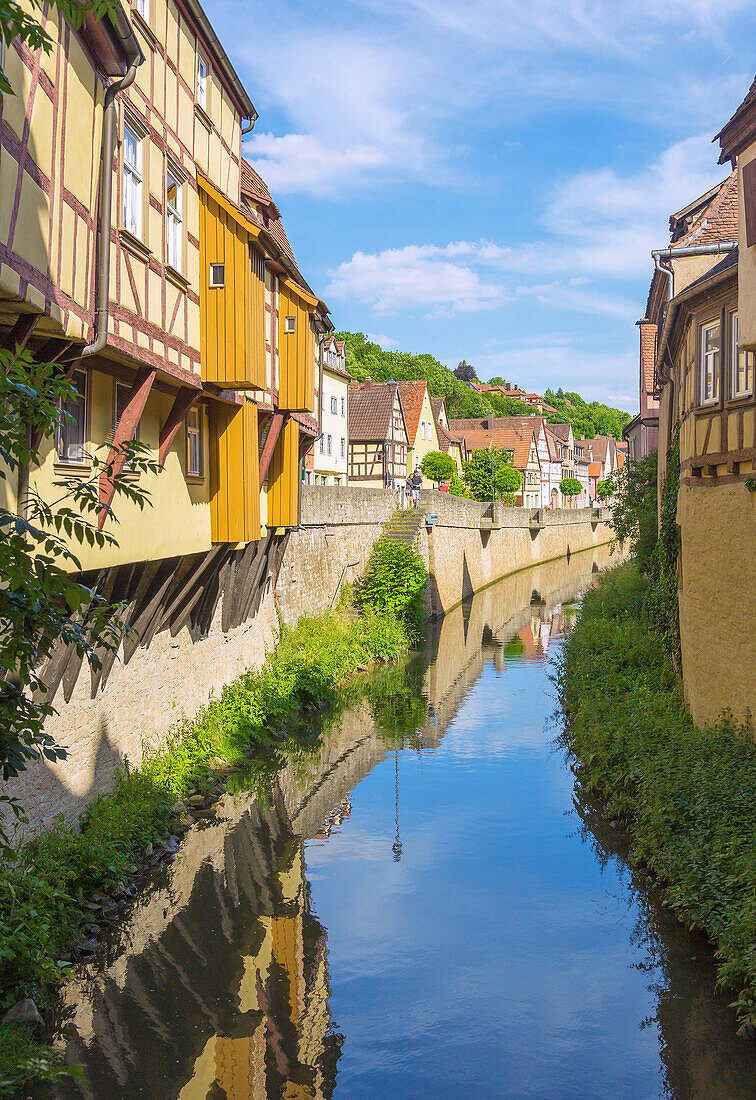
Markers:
point(486, 179)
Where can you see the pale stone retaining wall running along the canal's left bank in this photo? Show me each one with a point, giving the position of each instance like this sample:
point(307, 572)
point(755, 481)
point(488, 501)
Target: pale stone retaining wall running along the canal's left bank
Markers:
point(470, 547)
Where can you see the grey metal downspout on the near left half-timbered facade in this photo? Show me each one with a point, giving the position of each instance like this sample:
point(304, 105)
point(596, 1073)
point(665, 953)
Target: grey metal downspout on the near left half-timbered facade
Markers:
point(134, 52)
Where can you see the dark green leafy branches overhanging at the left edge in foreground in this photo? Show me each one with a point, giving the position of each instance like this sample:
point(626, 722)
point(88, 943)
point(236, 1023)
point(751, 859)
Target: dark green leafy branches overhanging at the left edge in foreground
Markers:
point(41, 601)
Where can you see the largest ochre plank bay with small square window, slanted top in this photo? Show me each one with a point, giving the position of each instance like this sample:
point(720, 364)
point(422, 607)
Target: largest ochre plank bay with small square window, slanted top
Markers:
point(232, 317)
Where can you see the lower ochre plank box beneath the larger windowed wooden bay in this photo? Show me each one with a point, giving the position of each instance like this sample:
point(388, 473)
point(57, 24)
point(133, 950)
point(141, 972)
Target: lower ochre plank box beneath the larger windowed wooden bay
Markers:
point(235, 496)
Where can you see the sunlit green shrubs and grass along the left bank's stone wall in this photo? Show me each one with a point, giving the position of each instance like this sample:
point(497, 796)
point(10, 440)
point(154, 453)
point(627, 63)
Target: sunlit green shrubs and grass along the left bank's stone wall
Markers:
point(275, 710)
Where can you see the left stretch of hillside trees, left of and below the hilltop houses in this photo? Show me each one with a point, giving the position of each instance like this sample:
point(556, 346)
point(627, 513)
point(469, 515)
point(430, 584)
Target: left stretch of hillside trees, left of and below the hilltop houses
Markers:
point(367, 360)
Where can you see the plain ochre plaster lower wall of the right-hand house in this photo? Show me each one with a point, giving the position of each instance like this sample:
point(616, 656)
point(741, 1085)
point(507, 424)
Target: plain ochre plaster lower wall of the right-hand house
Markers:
point(718, 600)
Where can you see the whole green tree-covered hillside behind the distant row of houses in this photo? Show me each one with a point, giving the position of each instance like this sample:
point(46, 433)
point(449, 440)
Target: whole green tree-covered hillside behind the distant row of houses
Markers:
point(368, 360)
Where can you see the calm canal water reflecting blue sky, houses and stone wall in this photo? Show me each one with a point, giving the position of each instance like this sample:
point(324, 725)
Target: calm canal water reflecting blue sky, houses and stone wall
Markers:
point(423, 908)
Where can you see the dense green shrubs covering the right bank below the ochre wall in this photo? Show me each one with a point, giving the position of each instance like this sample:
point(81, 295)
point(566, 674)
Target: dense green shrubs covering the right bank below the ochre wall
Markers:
point(687, 795)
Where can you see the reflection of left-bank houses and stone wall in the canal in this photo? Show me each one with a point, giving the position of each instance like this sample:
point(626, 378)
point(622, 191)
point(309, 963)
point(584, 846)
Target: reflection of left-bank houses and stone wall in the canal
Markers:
point(220, 984)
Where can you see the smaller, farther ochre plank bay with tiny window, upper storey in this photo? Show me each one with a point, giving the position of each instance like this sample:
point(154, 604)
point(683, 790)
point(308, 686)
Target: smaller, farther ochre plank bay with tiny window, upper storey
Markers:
point(297, 350)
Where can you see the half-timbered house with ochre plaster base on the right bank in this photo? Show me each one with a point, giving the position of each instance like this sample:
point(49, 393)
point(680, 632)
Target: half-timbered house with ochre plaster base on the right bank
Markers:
point(702, 303)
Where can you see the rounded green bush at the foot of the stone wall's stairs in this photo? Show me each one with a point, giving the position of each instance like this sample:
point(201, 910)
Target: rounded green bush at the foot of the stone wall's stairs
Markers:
point(395, 584)
